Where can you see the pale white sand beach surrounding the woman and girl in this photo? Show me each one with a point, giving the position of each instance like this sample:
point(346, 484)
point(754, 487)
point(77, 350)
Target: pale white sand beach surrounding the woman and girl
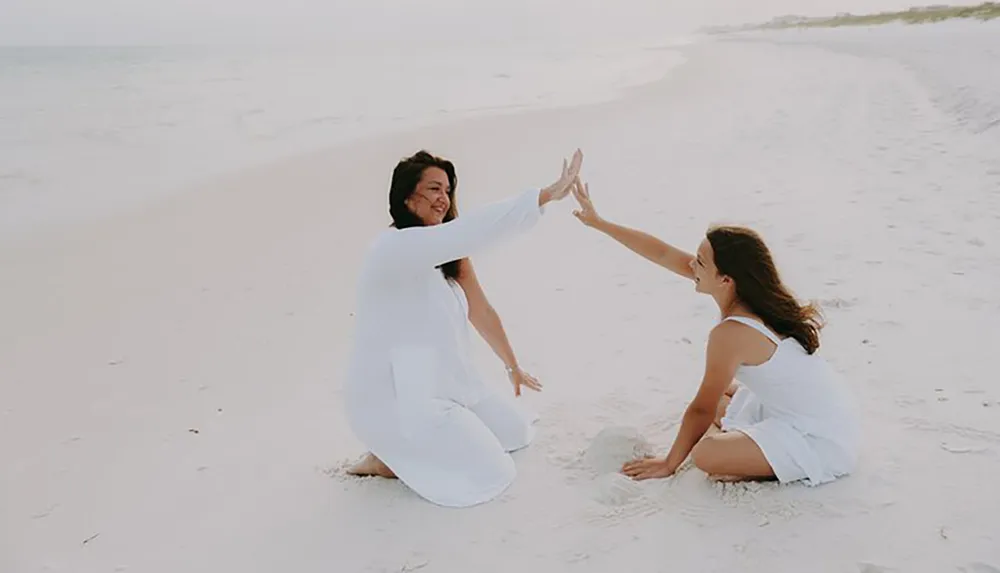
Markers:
point(169, 382)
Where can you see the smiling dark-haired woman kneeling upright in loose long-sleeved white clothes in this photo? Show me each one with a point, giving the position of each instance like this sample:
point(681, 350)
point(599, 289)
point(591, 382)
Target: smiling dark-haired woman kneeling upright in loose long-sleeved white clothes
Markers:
point(413, 395)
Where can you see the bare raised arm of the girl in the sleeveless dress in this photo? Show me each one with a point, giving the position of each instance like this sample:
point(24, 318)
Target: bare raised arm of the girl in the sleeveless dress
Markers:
point(641, 243)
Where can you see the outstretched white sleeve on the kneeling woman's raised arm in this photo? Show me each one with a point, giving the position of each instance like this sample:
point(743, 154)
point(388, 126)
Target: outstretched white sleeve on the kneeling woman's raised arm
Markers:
point(418, 248)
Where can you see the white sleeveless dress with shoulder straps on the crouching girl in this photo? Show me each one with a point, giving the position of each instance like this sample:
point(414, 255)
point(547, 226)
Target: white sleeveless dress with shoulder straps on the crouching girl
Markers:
point(797, 410)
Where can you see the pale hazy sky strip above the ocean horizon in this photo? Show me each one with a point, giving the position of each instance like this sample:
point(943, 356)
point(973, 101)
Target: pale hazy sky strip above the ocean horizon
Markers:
point(118, 22)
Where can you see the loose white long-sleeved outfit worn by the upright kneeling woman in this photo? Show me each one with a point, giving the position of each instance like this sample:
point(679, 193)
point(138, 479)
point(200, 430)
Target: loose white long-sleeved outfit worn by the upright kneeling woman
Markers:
point(412, 394)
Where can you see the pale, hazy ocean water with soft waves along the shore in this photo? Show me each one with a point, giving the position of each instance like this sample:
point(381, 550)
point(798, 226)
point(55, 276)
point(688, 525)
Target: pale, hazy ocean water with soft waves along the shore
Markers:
point(85, 131)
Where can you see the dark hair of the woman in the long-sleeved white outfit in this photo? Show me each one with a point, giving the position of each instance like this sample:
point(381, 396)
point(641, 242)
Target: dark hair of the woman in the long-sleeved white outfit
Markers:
point(405, 177)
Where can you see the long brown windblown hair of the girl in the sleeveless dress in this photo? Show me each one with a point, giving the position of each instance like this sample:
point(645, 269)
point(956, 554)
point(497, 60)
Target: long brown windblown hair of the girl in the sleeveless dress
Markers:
point(741, 255)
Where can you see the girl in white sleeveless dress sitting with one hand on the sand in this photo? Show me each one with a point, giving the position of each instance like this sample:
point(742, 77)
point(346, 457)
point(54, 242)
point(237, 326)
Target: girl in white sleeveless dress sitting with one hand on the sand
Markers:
point(788, 417)
